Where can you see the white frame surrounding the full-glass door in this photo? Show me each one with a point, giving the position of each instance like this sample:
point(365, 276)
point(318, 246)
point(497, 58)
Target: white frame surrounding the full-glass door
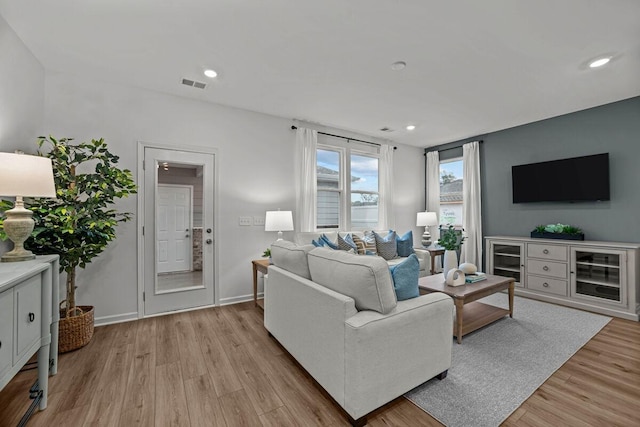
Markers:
point(142, 145)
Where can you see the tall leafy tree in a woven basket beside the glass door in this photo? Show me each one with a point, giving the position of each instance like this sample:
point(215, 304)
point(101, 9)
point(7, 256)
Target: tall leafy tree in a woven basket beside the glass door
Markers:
point(79, 224)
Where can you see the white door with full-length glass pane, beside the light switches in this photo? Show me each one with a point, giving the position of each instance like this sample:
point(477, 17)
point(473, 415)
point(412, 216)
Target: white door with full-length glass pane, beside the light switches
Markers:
point(190, 287)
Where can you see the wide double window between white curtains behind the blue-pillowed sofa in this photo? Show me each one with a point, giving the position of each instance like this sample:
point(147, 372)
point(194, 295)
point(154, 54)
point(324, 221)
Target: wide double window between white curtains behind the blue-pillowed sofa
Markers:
point(346, 203)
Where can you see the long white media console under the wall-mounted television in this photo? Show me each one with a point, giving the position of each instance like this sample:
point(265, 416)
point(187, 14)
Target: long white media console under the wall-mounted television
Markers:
point(595, 276)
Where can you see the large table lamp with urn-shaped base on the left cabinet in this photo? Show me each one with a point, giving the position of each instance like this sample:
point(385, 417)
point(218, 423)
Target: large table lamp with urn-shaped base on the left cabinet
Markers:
point(22, 175)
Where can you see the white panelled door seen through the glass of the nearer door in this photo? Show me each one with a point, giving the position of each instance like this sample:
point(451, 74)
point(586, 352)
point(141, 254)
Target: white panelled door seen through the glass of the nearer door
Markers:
point(173, 228)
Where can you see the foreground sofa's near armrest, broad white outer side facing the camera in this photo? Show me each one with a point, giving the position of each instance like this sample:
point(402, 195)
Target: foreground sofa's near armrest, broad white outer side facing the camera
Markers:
point(388, 355)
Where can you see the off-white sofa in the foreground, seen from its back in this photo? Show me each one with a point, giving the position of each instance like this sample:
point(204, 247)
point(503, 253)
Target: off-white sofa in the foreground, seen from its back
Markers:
point(336, 313)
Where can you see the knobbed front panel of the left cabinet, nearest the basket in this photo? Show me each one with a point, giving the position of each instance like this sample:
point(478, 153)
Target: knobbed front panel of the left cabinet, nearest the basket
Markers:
point(28, 297)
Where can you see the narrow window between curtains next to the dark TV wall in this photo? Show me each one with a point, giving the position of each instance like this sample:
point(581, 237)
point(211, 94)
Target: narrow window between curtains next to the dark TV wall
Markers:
point(451, 192)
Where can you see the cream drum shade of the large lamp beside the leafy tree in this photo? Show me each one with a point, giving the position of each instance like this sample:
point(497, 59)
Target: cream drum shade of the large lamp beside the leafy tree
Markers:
point(26, 176)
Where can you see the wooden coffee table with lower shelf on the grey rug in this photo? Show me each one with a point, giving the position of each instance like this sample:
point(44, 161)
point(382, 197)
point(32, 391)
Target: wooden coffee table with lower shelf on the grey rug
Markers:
point(471, 315)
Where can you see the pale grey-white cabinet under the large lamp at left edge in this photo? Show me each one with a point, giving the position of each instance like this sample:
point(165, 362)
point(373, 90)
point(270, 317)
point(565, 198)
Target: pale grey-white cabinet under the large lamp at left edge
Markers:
point(29, 319)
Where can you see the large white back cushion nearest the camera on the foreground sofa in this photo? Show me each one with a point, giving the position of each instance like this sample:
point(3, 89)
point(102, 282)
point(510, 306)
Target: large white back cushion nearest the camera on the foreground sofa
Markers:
point(365, 279)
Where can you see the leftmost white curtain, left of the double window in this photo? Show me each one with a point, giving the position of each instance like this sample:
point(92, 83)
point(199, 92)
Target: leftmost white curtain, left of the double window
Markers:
point(306, 185)
